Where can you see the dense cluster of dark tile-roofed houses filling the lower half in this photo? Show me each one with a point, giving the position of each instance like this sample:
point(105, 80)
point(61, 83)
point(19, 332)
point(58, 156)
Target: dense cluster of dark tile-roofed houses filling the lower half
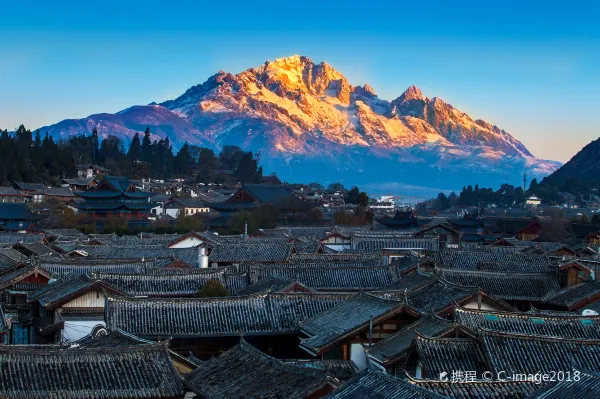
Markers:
point(408, 308)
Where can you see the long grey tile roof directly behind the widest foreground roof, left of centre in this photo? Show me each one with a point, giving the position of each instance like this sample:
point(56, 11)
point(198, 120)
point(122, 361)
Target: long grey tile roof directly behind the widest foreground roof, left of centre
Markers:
point(163, 284)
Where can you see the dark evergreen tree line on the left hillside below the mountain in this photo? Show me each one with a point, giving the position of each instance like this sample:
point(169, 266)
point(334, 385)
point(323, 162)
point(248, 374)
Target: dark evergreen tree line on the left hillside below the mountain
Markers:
point(28, 157)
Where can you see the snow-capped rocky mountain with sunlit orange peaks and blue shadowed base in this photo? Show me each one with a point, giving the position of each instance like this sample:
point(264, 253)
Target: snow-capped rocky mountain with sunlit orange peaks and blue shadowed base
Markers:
point(309, 123)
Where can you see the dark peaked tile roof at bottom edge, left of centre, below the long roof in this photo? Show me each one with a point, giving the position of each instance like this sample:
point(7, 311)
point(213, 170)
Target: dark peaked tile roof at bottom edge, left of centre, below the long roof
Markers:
point(245, 372)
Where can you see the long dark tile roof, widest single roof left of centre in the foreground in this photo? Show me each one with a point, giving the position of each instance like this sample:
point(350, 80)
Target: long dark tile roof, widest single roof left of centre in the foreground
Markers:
point(261, 314)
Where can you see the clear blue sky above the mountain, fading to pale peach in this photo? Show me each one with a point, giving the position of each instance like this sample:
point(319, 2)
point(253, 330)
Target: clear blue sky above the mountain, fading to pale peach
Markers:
point(532, 69)
